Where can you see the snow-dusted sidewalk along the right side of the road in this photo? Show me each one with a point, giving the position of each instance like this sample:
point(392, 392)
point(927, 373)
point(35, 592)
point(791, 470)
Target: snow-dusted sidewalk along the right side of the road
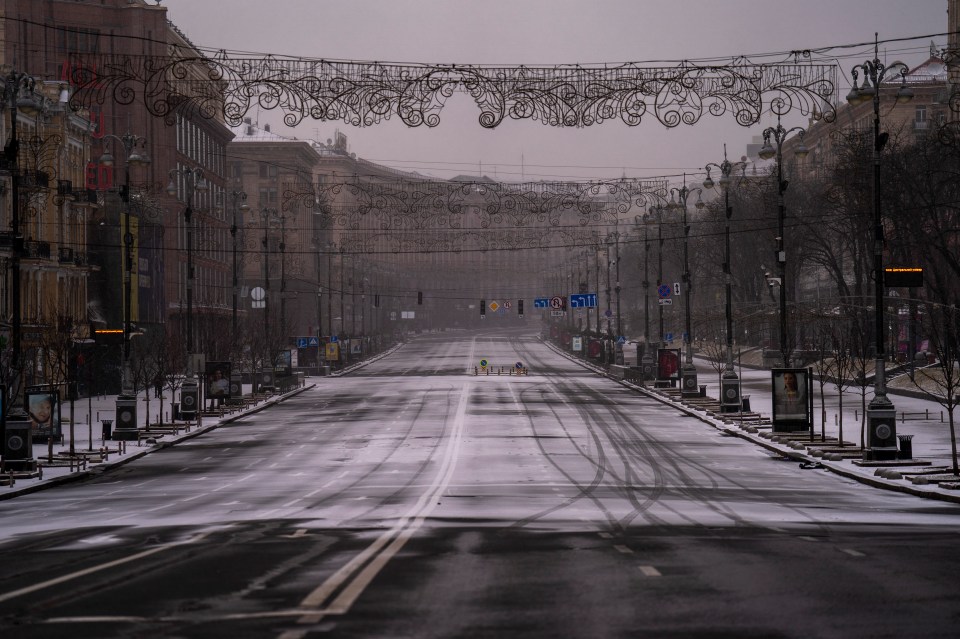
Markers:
point(927, 474)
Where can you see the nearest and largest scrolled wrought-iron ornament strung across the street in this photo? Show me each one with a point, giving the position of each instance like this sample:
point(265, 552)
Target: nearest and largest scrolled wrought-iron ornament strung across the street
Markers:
point(367, 93)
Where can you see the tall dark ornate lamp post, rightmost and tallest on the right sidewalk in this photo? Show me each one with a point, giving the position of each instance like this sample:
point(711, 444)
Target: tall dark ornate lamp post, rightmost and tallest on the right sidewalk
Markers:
point(881, 413)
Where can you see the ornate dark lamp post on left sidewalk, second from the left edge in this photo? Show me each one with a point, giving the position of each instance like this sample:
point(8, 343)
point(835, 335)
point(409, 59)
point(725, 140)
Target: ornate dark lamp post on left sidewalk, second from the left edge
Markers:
point(126, 403)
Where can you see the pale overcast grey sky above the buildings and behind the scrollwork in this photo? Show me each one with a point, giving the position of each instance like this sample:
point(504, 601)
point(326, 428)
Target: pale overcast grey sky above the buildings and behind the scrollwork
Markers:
point(550, 32)
